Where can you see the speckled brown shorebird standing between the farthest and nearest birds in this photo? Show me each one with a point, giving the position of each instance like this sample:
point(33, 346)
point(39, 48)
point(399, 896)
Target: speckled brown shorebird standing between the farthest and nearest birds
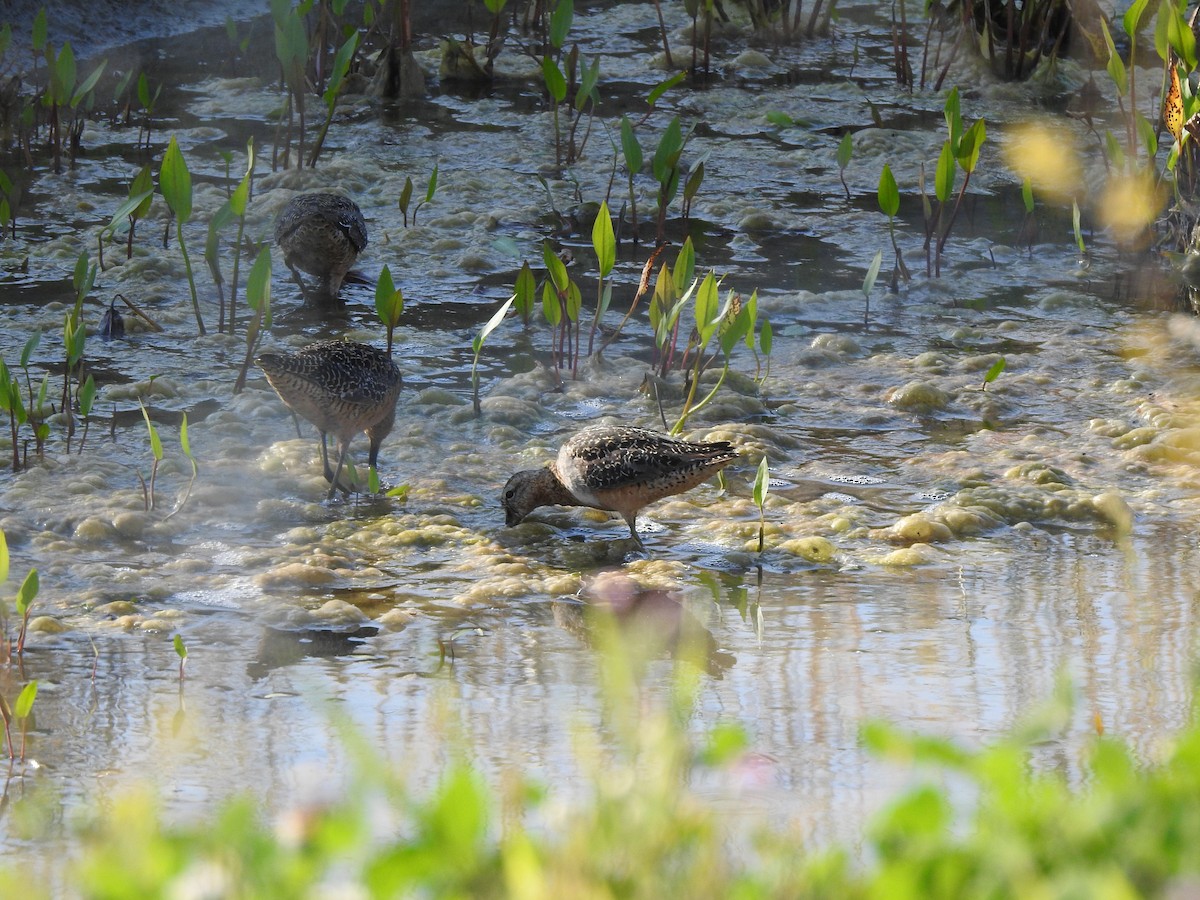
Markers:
point(343, 388)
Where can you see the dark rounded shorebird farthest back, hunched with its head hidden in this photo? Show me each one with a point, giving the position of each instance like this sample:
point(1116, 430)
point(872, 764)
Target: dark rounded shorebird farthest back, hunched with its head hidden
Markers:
point(321, 235)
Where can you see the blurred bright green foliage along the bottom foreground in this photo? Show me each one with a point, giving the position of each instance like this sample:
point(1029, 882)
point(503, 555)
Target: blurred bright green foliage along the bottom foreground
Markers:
point(981, 824)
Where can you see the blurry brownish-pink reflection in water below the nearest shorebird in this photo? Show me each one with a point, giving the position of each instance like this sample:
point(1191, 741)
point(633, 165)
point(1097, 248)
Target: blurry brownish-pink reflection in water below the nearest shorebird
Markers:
point(645, 623)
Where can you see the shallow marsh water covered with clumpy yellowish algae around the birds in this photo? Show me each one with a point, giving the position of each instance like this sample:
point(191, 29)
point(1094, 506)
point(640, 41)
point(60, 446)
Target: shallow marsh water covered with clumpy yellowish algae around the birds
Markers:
point(985, 541)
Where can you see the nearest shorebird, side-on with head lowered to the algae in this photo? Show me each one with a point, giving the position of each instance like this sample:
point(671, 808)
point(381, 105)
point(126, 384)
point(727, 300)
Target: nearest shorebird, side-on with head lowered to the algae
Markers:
point(617, 469)
